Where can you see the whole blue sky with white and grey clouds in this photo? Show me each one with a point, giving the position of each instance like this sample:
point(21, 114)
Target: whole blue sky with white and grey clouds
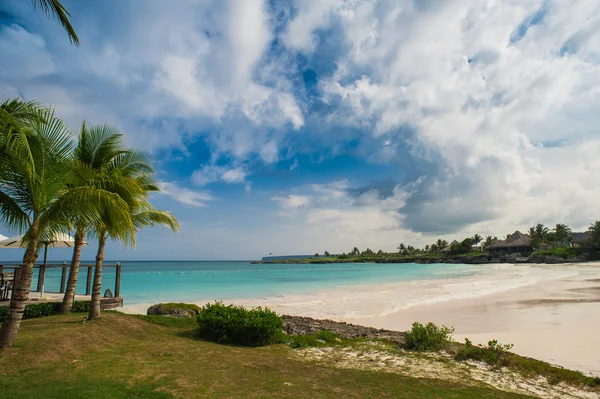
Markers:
point(312, 125)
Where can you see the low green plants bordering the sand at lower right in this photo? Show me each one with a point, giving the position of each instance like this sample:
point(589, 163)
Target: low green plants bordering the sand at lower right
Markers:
point(498, 355)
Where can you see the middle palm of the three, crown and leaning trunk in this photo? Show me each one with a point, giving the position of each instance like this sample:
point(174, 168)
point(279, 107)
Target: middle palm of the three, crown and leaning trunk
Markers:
point(95, 162)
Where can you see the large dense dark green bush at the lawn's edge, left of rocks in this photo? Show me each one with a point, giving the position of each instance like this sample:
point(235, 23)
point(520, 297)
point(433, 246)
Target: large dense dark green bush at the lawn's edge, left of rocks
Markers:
point(238, 325)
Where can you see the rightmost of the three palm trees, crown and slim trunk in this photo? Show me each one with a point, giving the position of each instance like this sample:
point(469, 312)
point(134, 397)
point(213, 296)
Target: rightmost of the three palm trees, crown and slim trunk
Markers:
point(135, 194)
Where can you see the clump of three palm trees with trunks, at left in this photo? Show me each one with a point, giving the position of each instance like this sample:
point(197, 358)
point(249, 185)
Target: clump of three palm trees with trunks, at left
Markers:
point(49, 186)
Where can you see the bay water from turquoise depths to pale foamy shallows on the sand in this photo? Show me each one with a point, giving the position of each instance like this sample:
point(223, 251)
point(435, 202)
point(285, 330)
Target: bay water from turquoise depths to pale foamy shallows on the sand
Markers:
point(343, 291)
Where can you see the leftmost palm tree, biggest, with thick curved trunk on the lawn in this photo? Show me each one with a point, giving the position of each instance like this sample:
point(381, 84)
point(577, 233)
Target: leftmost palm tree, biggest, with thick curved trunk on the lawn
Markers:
point(35, 157)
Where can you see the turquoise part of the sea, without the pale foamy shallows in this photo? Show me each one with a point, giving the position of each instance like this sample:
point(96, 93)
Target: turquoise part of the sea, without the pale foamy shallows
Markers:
point(156, 281)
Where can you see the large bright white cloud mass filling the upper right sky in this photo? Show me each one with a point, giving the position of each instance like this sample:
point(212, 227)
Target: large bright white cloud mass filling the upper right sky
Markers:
point(494, 115)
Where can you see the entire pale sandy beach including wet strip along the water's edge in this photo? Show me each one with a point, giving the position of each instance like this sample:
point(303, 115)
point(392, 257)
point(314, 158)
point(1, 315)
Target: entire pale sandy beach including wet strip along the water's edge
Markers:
point(545, 313)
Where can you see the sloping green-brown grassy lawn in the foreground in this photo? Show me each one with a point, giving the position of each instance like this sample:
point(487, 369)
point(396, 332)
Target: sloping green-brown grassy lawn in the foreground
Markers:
point(122, 356)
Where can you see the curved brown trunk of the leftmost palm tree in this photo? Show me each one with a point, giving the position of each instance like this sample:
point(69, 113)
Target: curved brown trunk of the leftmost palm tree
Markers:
point(12, 322)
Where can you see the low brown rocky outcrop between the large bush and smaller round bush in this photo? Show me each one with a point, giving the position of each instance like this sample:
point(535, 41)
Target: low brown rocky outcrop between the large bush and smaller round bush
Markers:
point(296, 325)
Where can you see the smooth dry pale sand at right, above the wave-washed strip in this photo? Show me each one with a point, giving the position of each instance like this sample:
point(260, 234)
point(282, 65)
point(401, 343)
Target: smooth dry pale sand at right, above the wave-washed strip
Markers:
point(556, 321)
